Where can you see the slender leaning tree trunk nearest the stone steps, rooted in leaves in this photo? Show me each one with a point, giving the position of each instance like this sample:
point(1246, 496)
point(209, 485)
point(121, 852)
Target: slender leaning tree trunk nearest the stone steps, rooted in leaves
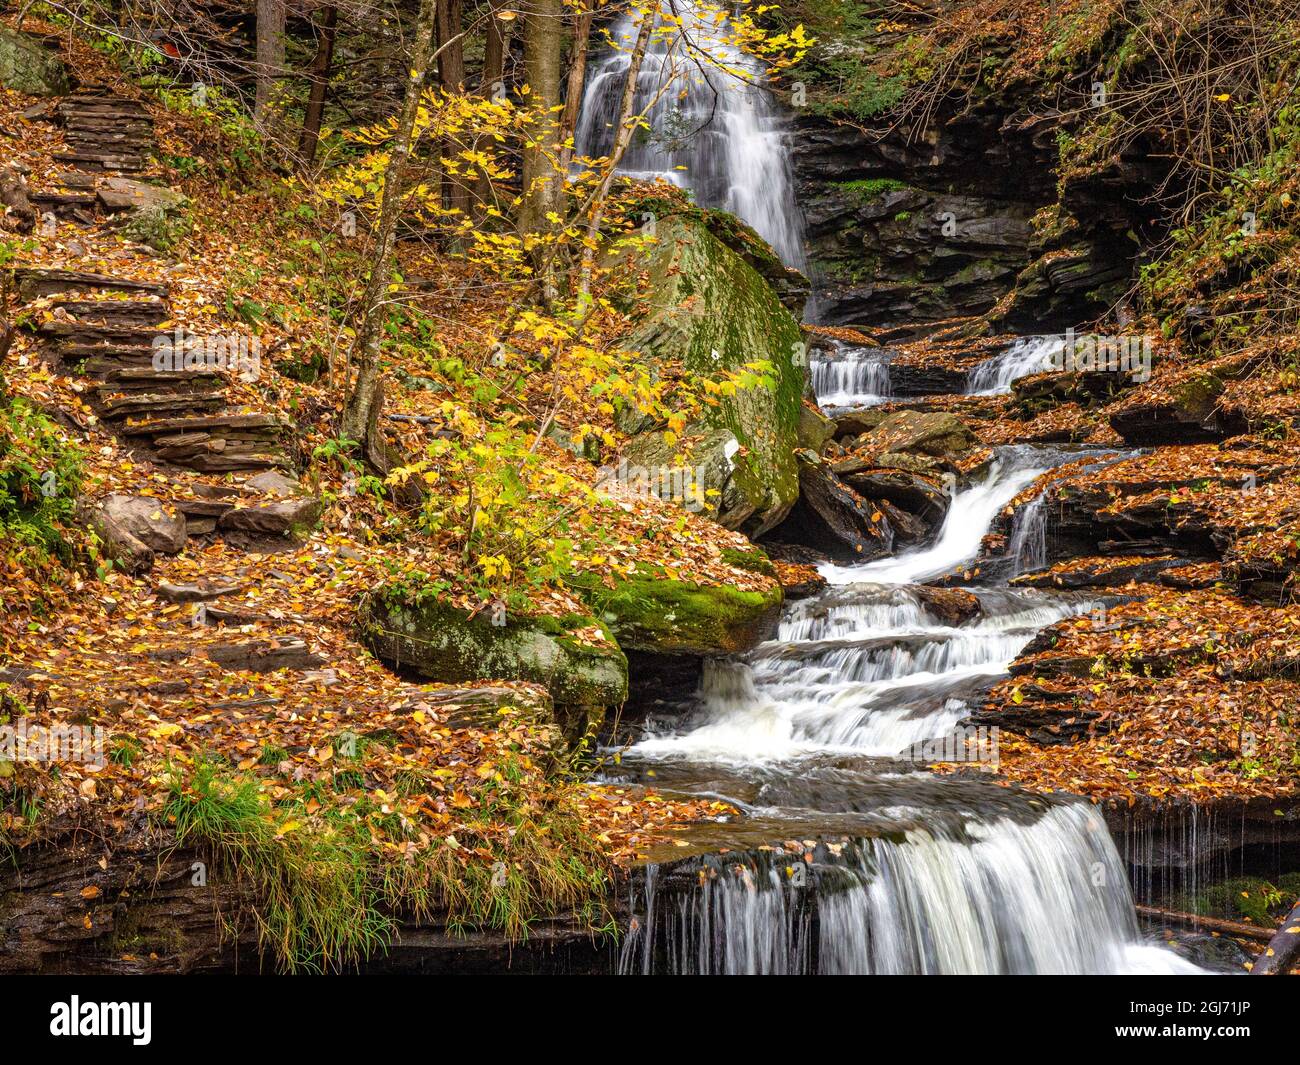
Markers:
point(361, 413)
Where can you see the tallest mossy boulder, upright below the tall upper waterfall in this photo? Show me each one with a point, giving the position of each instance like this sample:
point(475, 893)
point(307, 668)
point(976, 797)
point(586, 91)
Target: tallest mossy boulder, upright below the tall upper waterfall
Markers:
point(712, 311)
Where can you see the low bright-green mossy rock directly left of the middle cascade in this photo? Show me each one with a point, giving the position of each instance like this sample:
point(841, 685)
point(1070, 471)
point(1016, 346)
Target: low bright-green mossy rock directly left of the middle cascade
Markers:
point(673, 617)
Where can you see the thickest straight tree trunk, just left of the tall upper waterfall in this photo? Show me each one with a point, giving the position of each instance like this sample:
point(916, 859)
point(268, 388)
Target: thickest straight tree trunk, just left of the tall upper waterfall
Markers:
point(544, 185)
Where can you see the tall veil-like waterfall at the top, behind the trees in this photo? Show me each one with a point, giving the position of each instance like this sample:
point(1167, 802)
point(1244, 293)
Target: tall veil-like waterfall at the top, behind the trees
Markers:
point(714, 133)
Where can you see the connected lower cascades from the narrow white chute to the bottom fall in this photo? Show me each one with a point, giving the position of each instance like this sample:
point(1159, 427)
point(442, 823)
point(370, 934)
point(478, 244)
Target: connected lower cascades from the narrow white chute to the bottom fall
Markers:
point(814, 735)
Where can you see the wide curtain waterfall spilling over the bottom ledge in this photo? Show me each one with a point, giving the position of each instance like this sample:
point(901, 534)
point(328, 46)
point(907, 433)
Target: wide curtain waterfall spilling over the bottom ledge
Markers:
point(1006, 895)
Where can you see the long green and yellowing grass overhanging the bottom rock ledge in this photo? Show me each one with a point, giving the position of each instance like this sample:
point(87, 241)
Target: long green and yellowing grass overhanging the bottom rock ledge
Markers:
point(327, 891)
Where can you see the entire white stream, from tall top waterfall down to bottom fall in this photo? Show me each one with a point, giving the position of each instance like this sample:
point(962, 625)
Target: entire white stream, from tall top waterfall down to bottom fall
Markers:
point(850, 855)
